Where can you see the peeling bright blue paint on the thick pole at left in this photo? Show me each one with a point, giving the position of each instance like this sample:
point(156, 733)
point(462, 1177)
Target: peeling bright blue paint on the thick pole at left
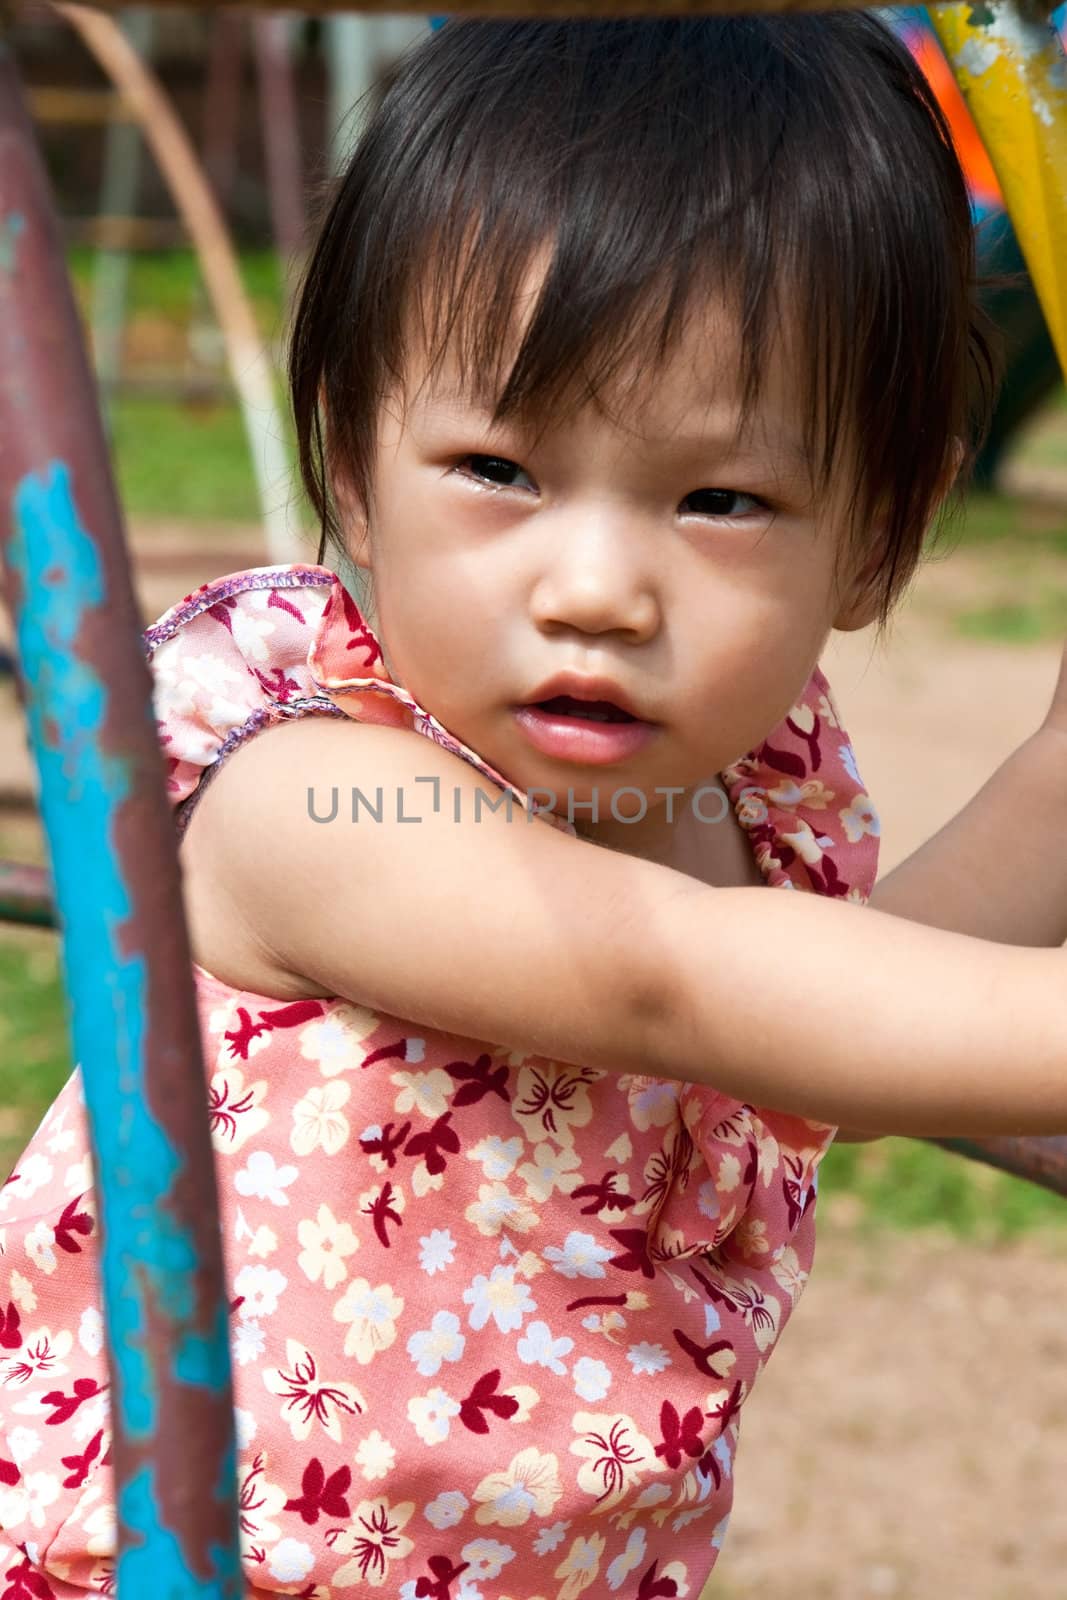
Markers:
point(150, 1260)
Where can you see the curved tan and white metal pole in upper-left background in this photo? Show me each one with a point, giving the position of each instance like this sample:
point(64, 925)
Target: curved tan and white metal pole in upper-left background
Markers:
point(249, 359)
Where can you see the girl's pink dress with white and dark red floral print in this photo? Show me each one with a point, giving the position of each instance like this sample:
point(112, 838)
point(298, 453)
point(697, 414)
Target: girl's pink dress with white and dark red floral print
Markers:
point(494, 1316)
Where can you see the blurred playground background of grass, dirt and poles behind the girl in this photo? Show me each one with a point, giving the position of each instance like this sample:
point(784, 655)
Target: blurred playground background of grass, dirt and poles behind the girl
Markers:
point(911, 1442)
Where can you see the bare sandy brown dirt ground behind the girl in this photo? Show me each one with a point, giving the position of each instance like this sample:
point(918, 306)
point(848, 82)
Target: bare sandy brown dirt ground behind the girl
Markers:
point(909, 1439)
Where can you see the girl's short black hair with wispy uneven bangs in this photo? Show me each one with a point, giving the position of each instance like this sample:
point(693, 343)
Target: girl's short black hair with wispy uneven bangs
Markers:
point(799, 166)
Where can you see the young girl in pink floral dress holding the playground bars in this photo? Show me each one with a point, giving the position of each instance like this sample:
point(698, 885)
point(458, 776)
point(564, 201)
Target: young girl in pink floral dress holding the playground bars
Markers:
point(633, 359)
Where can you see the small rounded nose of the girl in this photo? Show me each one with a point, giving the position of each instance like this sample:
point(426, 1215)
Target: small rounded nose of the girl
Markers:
point(599, 578)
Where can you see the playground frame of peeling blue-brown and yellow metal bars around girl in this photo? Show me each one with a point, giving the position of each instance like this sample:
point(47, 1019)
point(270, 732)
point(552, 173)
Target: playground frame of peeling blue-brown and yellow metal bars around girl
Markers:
point(111, 836)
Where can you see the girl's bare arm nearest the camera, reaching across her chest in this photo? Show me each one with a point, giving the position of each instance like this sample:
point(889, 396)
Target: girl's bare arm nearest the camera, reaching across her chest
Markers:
point(516, 934)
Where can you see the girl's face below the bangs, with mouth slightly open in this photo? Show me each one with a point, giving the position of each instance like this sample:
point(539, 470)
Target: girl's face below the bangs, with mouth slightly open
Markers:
point(649, 546)
